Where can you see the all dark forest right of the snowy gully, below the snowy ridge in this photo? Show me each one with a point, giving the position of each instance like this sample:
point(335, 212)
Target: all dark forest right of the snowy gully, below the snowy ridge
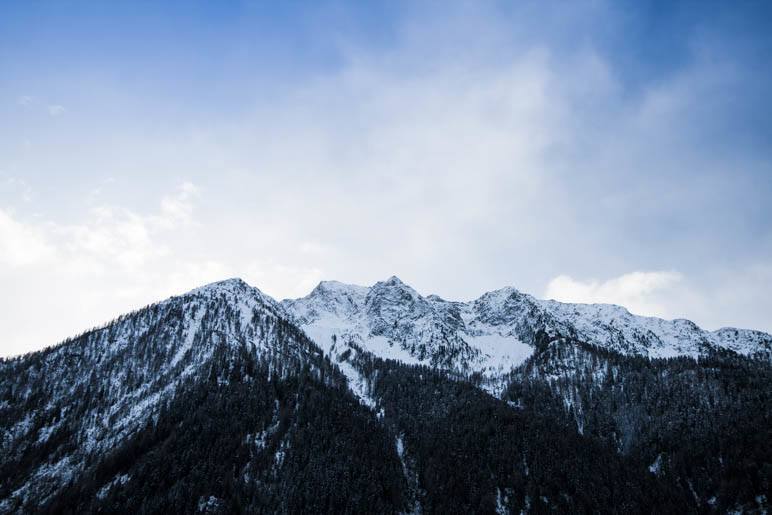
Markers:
point(585, 429)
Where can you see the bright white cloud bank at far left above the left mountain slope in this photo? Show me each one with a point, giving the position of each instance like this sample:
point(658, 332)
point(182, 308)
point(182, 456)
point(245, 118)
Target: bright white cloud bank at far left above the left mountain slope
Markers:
point(73, 276)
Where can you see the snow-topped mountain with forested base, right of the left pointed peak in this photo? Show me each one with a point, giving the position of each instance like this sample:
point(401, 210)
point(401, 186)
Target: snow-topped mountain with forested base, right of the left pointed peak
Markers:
point(687, 406)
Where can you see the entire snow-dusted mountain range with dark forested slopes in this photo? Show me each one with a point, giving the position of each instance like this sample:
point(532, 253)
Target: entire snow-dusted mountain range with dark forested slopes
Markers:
point(380, 400)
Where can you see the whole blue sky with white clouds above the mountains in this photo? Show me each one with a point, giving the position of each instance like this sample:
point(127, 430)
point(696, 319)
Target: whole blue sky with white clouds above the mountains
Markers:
point(587, 151)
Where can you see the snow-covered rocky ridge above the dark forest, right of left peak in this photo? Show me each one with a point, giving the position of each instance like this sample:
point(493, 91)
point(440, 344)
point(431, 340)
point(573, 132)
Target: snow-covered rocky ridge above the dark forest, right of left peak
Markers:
point(497, 331)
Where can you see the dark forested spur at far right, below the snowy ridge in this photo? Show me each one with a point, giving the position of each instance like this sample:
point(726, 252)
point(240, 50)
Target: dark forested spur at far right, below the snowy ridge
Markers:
point(703, 425)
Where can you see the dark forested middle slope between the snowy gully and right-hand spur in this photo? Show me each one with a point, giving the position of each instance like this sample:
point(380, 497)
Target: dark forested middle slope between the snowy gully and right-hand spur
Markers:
point(472, 453)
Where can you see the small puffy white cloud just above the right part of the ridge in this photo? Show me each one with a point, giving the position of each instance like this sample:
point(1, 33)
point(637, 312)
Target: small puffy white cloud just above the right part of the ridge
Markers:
point(642, 293)
